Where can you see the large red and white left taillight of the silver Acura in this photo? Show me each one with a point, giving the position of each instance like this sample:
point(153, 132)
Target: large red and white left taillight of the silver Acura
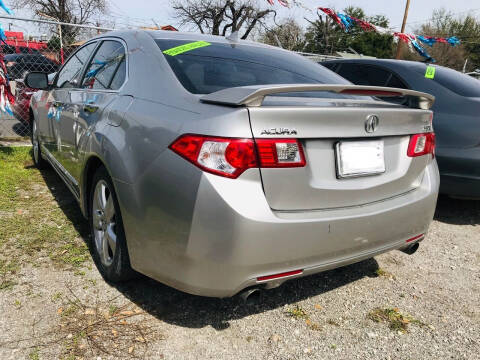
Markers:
point(230, 157)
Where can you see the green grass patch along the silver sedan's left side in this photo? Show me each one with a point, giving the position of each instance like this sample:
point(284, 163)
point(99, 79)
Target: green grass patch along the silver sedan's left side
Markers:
point(39, 218)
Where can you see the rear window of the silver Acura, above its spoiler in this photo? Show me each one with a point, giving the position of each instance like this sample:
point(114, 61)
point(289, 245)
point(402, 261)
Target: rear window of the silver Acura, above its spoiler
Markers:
point(217, 66)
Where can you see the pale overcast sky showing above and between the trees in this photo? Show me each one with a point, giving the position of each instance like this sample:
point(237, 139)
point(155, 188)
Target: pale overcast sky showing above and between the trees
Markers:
point(420, 10)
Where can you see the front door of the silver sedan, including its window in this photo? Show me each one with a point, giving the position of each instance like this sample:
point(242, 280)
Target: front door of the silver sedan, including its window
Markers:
point(61, 110)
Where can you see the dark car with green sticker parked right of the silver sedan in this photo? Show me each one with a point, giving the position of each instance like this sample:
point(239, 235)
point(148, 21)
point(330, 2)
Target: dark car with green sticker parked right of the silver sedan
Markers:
point(456, 113)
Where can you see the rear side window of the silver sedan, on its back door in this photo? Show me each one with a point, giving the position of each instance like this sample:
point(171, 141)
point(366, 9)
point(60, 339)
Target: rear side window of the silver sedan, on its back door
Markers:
point(107, 69)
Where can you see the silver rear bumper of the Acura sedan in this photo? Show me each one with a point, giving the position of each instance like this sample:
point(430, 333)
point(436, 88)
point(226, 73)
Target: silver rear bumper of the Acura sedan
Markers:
point(235, 236)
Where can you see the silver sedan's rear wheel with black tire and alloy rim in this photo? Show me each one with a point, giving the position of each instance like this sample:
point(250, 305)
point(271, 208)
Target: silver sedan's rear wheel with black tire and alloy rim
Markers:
point(108, 245)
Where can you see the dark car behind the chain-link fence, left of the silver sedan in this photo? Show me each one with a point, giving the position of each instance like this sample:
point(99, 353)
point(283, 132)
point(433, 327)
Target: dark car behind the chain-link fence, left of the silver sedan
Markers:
point(18, 65)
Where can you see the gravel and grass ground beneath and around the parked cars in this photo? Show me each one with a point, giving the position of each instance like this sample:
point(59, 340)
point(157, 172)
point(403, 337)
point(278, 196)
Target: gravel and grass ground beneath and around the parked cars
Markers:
point(55, 305)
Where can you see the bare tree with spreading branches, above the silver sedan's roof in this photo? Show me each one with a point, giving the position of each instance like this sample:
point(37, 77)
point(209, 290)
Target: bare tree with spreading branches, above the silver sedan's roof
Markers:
point(219, 17)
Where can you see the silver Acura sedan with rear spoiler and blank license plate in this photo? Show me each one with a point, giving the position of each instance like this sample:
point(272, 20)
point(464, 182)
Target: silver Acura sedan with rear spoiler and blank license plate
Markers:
point(215, 165)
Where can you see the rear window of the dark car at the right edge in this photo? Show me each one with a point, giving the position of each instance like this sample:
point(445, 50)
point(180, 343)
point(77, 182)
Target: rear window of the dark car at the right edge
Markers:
point(457, 82)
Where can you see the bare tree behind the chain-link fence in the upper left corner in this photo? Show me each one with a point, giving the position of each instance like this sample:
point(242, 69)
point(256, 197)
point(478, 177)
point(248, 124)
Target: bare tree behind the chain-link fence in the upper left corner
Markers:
point(70, 11)
